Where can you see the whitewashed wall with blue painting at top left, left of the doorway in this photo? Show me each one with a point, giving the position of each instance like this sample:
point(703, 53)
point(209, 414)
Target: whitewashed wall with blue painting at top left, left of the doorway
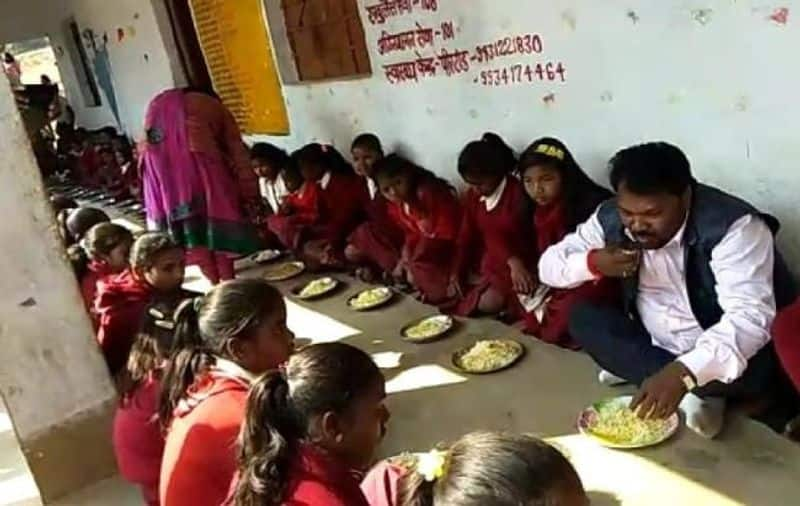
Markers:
point(128, 51)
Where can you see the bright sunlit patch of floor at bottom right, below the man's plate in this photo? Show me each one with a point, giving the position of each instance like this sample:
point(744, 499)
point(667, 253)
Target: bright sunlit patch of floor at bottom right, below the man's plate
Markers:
point(635, 479)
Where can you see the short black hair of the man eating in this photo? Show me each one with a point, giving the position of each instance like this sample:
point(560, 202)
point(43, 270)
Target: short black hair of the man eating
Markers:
point(651, 168)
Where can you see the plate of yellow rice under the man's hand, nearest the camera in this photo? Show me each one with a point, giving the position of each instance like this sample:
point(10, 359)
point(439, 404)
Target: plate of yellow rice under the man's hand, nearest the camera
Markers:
point(613, 424)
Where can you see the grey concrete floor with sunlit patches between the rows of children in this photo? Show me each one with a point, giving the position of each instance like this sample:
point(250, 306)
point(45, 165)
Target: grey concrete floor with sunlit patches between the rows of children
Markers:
point(747, 465)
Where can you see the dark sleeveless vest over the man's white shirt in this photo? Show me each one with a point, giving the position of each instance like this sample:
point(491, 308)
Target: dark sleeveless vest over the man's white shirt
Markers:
point(711, 215)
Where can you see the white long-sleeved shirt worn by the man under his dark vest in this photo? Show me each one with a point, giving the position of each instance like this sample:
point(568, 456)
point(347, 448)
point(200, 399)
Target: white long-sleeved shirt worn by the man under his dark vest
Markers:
point(742, 264)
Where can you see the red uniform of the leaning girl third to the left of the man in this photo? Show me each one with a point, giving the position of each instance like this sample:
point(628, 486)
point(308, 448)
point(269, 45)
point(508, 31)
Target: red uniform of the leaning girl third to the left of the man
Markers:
point(430, 229)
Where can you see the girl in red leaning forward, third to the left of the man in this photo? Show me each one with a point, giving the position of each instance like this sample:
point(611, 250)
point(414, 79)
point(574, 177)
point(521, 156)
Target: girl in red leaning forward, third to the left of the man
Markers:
point(426, 208)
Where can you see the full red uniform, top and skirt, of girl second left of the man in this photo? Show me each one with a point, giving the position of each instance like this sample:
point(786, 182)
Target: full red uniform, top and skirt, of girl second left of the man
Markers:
point(493, 230)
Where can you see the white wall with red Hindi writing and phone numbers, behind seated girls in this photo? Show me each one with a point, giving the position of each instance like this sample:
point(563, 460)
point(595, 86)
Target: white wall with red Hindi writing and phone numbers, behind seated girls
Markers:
point(720, 83)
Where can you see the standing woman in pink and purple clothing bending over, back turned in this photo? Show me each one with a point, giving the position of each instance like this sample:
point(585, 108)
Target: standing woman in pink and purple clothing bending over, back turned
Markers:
point(197, 180)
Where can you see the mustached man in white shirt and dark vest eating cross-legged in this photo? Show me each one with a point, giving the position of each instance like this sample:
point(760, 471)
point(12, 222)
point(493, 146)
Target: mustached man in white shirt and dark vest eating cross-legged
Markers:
point(699, 292)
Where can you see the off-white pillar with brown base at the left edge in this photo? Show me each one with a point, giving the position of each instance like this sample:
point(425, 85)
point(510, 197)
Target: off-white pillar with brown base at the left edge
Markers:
point(53, 378)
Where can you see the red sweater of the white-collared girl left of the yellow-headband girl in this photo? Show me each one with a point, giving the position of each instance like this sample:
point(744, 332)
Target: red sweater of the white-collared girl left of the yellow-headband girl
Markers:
point(492, 237)
